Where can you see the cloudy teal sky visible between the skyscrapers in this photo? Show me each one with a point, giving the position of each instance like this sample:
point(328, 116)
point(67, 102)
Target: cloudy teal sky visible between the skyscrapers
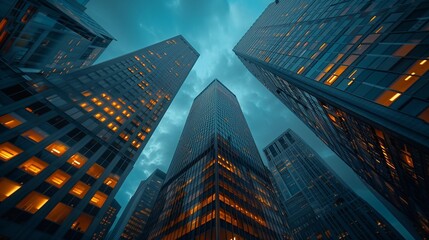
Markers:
point(213, 28)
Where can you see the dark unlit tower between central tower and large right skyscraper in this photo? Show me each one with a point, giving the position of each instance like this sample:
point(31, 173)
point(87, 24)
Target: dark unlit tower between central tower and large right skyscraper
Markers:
point(318, 204)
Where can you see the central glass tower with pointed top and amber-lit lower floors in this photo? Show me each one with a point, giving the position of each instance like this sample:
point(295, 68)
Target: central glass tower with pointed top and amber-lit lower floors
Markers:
point(216, 186)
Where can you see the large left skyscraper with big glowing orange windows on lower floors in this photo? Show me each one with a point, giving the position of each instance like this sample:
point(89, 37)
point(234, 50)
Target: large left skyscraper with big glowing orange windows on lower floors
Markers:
point(66, 148)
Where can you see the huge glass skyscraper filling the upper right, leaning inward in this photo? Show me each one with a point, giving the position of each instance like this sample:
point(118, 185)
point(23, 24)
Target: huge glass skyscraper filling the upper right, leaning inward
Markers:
point(356, 73)
